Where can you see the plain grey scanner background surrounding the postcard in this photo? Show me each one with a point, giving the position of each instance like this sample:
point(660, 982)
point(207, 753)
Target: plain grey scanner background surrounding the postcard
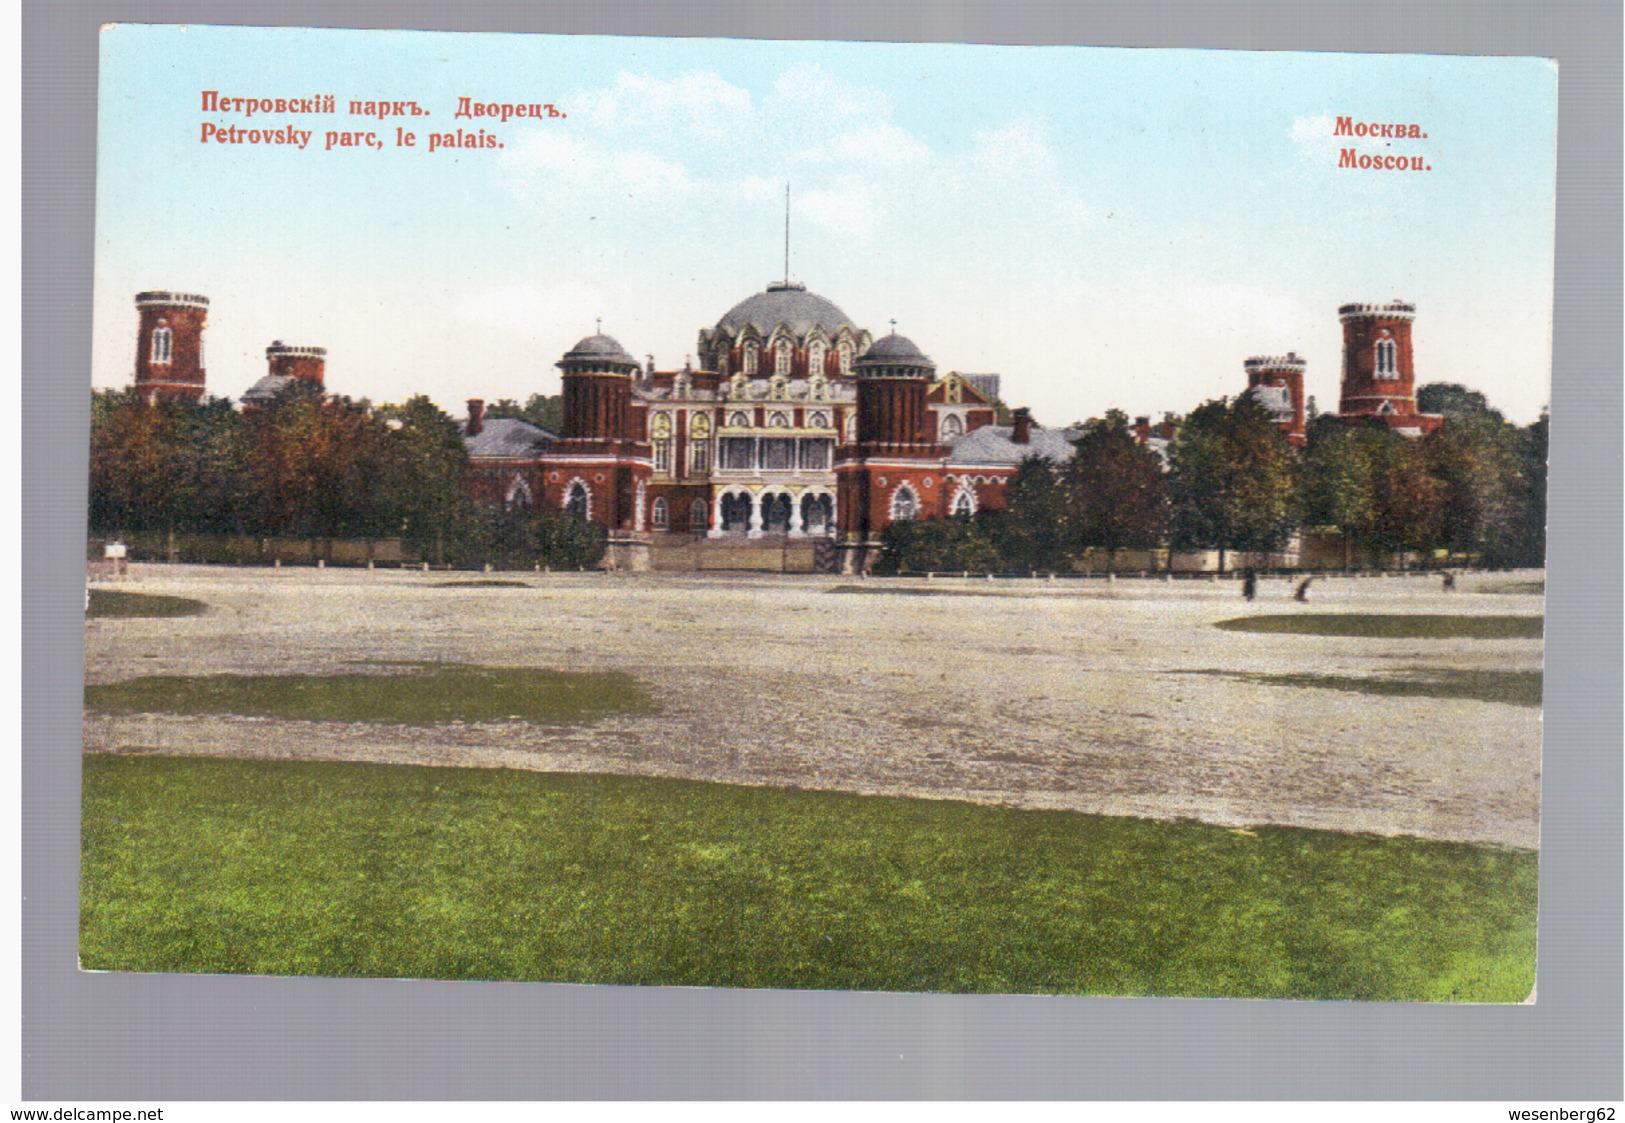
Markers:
point(194, 1038)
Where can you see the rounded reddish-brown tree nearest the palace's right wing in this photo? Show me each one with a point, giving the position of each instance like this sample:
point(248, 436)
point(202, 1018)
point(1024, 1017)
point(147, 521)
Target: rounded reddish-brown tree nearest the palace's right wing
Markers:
point(1116, 490)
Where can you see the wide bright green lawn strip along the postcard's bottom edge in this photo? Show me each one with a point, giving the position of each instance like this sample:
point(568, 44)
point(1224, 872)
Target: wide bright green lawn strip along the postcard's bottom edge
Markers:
point(362, 870)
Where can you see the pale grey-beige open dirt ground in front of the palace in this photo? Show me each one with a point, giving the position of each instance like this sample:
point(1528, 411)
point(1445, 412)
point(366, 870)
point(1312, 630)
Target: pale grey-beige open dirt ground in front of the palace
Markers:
point(1028, 695)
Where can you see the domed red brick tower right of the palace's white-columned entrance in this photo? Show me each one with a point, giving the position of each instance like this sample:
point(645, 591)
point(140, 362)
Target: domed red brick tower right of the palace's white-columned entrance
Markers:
point(895, 469)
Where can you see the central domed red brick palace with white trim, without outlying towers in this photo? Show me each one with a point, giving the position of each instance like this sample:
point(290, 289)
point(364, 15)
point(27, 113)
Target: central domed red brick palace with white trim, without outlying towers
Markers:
point(797, 425)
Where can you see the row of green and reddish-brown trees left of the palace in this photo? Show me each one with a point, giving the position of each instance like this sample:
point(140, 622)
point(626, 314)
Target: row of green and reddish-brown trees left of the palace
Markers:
point(316, 467)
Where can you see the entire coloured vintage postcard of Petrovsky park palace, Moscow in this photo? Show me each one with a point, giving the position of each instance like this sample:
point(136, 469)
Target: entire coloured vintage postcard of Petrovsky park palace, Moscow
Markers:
point(823, 516)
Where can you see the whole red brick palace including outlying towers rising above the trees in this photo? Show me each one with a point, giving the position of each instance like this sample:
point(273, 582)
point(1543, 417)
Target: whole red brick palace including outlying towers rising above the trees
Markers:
point(797, 427)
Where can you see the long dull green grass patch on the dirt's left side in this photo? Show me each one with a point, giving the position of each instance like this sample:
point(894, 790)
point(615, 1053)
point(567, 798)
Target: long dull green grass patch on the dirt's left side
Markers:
point(428, 696)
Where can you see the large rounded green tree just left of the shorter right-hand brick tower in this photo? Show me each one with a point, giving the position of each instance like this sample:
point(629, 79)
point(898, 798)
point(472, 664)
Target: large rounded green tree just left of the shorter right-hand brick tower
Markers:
point(1233, 482)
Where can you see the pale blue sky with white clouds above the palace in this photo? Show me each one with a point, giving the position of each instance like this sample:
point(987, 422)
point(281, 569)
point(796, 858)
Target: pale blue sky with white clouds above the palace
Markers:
point(1104, 228)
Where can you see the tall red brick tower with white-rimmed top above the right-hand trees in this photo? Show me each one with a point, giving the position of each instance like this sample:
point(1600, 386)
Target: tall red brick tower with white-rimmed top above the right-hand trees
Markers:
point(1379, 376)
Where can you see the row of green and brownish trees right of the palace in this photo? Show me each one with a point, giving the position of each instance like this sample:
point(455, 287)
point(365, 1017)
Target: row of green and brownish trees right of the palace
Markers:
point(1234, 483)
